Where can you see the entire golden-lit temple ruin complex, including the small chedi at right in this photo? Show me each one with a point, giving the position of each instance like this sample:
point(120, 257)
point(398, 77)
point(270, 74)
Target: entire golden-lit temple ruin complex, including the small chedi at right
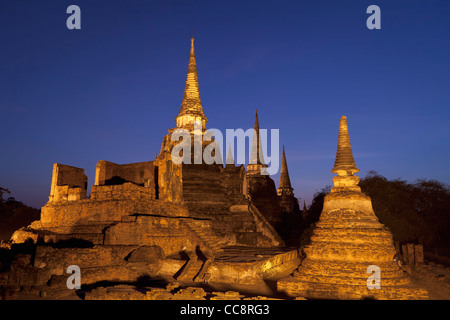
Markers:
point(204, 225)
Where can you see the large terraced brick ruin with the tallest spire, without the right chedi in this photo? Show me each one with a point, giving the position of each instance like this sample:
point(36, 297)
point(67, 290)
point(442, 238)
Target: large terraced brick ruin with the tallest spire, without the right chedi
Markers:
point(157, 220)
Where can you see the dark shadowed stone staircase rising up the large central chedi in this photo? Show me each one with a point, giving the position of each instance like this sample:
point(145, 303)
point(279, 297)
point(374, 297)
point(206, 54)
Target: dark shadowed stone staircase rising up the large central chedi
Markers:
point(208, 196)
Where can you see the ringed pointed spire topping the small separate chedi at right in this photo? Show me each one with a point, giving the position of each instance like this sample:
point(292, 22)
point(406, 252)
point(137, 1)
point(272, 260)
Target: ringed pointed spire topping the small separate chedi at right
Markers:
point(344, 163)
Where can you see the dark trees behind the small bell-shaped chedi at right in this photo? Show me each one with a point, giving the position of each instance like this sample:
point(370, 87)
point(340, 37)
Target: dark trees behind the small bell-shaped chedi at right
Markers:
point(413, 212)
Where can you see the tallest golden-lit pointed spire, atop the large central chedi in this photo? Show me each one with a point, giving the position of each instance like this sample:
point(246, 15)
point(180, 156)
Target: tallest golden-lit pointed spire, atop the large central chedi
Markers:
point(191, 107)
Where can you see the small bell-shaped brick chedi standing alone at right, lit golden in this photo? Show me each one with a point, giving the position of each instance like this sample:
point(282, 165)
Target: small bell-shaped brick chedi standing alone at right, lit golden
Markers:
point(347, 243)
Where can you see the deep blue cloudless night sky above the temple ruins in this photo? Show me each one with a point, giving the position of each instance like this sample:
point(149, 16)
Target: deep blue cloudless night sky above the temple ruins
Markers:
point(112, 89)
